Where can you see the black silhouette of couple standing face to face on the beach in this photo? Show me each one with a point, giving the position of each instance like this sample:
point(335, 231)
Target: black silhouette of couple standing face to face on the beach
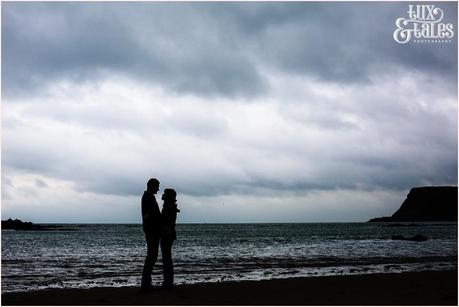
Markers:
point(159, 229)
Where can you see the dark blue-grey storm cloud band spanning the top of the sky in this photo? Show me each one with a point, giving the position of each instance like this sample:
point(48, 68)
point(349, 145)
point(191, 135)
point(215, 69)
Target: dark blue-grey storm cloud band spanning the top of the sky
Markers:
point(207, 48)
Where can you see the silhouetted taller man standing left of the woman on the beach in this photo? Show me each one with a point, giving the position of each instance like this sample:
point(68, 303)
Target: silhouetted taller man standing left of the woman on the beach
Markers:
point(151, 218)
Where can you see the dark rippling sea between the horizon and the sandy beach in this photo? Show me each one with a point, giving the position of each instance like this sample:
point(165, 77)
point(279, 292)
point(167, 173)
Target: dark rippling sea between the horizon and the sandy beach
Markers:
point(112, 255)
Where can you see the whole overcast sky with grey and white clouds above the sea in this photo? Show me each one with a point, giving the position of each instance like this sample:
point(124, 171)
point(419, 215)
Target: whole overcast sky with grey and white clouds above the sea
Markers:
point(253, 112)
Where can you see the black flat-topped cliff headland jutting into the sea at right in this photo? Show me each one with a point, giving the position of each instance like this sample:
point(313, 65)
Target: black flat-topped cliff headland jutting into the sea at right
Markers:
point(426, 204)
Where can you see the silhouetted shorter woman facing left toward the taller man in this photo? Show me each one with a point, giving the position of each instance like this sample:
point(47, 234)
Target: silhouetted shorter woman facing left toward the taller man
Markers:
point(168, 235)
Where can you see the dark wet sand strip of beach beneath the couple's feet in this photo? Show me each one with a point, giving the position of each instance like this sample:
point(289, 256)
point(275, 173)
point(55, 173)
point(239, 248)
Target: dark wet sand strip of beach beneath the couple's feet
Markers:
point(417, 288)
